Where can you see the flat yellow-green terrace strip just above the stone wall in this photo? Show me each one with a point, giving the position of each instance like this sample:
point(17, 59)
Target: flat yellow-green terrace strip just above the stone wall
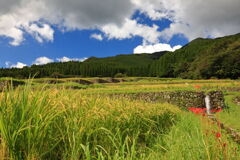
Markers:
point(173, 85)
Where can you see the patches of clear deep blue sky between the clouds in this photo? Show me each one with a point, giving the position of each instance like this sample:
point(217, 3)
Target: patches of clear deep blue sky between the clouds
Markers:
point(79, 44)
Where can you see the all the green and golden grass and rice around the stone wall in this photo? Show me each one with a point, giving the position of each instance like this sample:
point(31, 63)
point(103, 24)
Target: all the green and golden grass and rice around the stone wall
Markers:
point(47, 121)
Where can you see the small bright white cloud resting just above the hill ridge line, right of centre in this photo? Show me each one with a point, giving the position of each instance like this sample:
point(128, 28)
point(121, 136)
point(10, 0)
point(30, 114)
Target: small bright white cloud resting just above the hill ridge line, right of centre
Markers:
point(155, 48)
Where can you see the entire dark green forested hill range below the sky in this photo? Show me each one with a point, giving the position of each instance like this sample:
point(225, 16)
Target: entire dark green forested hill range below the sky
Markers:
point(200, 59)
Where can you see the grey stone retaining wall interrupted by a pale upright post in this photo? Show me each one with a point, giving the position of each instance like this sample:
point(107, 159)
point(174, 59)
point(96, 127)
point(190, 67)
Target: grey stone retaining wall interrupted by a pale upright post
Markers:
point(179, 98)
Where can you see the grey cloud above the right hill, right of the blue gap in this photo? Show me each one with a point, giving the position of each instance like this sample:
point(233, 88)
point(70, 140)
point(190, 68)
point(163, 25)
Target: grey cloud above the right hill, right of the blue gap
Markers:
point(194, 18)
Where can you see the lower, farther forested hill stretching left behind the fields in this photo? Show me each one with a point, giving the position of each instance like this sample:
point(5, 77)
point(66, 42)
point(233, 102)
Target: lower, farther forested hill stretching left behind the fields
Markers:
point(130, 65)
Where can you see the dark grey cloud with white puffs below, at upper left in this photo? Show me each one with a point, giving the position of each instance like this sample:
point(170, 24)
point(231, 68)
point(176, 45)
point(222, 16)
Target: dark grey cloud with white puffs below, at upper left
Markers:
point(18, 17)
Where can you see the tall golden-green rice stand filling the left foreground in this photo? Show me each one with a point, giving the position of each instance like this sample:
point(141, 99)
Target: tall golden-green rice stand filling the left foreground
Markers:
point(55, 124)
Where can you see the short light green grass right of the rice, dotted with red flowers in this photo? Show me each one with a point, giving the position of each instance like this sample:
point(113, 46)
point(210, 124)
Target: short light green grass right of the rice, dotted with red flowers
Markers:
point(194, 137)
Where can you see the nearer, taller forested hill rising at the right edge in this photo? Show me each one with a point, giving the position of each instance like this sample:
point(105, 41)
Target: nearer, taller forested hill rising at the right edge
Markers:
point(203, 59)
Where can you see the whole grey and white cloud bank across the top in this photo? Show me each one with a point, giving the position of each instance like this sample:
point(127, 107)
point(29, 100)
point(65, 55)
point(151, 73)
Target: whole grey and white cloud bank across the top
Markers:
point(193, 18)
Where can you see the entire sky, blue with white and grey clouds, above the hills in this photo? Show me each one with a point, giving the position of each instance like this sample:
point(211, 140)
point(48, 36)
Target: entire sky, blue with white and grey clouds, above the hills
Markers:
point(40, 32)
